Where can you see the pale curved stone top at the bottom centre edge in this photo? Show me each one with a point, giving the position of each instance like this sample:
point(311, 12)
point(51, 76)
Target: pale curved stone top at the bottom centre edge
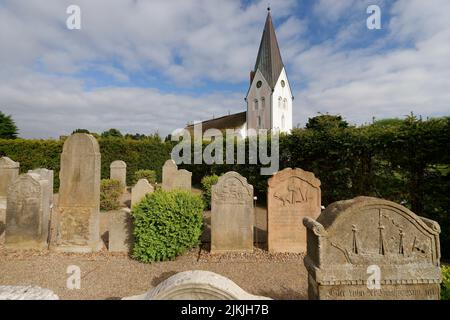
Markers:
point(197, 285)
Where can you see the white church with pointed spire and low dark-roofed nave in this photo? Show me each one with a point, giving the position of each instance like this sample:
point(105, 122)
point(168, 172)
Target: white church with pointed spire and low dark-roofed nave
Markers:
point(269, 97)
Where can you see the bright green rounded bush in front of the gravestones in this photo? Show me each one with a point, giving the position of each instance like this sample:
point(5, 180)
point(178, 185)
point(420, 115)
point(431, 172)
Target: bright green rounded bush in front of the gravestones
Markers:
point(166, 224)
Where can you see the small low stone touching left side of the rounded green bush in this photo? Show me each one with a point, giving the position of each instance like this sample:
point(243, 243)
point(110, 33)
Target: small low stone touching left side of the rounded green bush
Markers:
point(120, 231)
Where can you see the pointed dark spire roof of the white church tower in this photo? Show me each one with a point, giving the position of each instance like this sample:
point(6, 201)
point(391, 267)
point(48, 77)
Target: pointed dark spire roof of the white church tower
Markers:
point(269, 60)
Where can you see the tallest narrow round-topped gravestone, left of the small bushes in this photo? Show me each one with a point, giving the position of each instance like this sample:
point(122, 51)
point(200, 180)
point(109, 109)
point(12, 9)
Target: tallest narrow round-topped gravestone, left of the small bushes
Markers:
point(79, 195)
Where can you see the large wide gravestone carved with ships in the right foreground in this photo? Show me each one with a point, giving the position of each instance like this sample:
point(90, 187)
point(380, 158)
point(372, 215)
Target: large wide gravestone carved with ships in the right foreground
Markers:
point(368, 248)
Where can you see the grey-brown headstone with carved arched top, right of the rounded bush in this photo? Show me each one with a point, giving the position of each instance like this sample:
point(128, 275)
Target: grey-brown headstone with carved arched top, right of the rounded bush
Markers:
point(232, 214)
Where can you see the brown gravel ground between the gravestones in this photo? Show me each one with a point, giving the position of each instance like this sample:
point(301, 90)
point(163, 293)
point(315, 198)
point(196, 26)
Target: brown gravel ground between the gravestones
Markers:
point(106, 275)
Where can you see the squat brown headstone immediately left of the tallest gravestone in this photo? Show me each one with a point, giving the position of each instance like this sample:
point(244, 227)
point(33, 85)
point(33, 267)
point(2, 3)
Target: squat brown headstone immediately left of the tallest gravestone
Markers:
point(28, 213)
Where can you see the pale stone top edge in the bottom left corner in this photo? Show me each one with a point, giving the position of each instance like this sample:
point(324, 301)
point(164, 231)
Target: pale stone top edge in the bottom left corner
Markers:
point(26, 293)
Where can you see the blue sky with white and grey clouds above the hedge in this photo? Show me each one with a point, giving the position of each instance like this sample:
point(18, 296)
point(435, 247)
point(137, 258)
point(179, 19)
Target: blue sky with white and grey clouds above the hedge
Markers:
point(145, 66)
